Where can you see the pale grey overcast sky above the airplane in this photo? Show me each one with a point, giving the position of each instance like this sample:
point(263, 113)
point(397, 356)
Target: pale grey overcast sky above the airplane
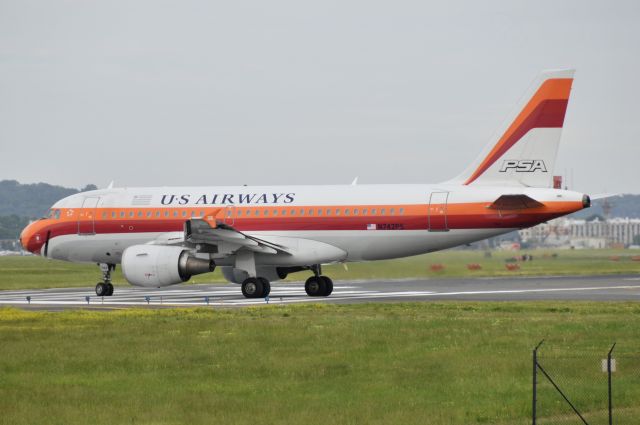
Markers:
point(161, 93)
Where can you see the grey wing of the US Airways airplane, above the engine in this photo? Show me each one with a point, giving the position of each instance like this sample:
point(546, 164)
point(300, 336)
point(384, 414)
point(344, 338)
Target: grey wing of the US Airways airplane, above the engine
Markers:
point(227, 239)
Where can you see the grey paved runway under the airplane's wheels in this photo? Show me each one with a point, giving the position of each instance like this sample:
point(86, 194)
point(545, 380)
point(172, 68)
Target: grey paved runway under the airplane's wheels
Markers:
point(587, 288)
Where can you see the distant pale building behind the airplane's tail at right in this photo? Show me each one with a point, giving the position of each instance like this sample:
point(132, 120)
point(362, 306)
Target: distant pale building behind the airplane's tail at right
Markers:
point(573, 233)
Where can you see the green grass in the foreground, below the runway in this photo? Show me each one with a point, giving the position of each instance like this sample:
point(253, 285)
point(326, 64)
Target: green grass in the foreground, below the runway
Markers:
point(418, 363)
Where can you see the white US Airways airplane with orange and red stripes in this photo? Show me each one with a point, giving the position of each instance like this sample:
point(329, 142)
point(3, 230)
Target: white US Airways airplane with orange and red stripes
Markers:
point(162, 236)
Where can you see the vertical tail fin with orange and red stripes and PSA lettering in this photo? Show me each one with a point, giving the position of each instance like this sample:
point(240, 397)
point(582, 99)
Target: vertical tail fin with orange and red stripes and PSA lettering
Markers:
point(524, 154)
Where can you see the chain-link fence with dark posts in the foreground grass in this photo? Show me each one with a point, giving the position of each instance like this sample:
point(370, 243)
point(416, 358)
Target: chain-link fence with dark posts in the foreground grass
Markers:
point(585, 386)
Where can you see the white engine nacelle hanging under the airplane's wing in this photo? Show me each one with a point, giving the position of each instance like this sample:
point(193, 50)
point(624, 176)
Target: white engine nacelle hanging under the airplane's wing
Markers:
point(156, 265)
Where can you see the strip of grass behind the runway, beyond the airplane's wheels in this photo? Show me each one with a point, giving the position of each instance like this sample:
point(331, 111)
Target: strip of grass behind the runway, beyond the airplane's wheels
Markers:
point(34, 272)
